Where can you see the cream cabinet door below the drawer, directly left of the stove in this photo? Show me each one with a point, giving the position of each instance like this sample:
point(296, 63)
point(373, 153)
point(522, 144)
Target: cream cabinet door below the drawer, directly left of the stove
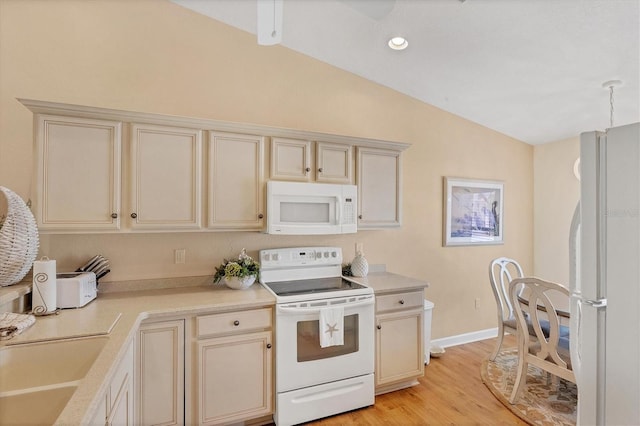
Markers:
point(245, 361)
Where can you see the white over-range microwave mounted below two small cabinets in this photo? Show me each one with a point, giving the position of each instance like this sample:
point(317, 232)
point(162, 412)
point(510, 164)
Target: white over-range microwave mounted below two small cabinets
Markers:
point(301, 208)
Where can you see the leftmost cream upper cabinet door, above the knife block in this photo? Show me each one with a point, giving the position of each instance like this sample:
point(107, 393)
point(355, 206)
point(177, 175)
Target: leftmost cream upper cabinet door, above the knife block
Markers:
point(78, 173)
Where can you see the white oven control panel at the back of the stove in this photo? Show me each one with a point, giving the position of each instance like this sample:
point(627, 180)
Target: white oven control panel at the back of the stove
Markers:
point(296, 256)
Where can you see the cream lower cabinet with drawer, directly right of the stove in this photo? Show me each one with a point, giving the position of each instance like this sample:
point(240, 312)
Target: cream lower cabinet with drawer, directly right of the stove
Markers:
point(399, 340)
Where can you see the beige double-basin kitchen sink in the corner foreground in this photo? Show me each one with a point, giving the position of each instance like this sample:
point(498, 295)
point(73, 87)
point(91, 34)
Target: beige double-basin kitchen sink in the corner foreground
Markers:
point(38, 379)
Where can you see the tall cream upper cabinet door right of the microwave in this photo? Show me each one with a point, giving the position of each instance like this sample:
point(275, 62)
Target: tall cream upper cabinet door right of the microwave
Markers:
point(379, 188)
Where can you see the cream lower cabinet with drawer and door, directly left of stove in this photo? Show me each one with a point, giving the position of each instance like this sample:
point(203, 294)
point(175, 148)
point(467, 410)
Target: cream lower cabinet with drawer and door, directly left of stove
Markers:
point(234, 370)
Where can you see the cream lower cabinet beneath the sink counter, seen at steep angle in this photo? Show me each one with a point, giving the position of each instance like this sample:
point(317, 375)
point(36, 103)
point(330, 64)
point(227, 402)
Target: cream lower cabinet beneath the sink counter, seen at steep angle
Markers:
point(117, 405)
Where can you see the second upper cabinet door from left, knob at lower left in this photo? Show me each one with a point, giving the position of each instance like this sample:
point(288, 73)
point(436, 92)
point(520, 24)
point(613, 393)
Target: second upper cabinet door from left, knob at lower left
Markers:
point(166, 165)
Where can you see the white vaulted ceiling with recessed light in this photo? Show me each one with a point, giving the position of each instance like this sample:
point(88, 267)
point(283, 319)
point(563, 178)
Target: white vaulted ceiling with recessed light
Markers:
point(531, 69)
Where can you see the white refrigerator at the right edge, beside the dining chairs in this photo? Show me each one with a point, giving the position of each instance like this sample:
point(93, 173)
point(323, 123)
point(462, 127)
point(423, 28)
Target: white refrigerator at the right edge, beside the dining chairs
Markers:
point(605, 278)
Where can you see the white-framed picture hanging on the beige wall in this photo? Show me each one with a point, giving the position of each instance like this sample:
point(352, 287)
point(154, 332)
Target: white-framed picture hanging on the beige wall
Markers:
point(473, 212)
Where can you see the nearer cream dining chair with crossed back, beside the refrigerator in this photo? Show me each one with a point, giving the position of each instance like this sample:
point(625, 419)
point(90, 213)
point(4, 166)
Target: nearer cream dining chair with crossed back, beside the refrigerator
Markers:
point(549, 349)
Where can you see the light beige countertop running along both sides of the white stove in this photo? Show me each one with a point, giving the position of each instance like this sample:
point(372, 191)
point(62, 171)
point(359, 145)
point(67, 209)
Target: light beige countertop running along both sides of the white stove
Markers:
point(119, 314)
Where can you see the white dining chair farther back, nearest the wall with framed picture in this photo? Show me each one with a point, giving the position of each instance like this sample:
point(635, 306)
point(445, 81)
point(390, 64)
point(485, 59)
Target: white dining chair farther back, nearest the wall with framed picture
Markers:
point(501, 271)
